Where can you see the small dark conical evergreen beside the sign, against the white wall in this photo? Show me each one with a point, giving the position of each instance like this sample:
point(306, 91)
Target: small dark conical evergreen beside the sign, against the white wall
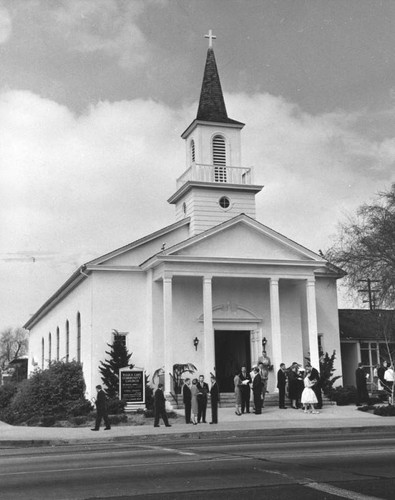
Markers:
point(109, 369)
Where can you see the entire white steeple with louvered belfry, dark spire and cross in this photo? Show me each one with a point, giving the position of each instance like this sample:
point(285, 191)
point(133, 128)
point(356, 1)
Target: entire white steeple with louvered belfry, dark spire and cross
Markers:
point(215, 187)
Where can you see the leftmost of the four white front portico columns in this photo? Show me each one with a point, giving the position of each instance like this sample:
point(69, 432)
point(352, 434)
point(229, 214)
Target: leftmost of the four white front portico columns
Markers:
point(168, 330)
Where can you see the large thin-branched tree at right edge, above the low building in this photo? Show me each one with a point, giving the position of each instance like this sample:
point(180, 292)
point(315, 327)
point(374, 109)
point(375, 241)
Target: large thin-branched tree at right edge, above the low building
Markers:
point(365, 247)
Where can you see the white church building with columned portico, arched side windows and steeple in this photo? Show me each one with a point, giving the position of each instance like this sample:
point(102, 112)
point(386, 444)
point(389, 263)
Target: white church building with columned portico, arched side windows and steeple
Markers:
point(209, 288)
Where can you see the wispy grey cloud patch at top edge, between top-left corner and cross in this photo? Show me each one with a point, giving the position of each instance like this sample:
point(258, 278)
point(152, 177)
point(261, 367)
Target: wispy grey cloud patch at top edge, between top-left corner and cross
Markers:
point(104, 26)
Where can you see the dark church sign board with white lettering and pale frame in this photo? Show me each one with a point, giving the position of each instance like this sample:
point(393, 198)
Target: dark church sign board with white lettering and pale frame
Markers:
point(132, 387)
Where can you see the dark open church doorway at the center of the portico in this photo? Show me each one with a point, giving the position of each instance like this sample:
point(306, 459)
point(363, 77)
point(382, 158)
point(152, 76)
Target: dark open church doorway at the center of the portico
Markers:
point(232, 351)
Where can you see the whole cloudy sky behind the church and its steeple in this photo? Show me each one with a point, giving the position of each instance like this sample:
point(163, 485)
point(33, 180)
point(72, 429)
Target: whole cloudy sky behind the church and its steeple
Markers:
point(94, 95)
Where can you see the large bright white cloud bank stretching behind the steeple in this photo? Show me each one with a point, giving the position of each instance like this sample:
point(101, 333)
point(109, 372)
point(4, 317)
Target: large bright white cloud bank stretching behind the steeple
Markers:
point(77, 186)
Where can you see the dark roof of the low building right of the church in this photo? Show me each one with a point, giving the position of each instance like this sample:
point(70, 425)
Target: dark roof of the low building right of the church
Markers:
point(364, 324)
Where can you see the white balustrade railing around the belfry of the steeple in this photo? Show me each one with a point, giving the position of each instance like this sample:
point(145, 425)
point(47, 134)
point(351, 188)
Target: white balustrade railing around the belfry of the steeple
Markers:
point(216, 173)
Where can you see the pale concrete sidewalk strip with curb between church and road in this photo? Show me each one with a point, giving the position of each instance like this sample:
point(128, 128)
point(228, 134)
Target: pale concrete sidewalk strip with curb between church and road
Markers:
point(333, 419)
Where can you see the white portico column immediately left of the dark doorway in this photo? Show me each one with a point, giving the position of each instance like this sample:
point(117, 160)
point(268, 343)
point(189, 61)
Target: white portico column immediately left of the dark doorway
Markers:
point(209, 344)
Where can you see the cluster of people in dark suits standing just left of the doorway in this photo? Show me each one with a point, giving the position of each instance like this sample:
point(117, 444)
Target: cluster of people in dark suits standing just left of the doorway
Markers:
point(195, 396)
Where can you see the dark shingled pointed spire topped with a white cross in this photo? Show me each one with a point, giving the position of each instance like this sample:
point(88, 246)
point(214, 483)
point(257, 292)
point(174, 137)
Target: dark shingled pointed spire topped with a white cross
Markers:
point(211, 104)
